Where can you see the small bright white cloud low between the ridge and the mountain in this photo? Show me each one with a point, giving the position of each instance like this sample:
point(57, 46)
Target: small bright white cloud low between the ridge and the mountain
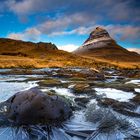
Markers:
point(68, 47)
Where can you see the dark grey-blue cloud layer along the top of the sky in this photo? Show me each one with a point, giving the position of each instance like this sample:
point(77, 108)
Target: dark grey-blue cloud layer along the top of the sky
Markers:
point(113, 10)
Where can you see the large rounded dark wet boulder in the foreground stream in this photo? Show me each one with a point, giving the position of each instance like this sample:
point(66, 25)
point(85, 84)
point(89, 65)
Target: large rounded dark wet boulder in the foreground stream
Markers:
point(33, 106)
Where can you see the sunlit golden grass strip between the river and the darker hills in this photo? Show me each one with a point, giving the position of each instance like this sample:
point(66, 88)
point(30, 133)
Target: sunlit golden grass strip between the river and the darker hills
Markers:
point(61, 59)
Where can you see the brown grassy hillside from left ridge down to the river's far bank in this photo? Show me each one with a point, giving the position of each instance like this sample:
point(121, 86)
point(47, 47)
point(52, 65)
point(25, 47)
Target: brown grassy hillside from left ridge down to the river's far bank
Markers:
point(38, 55)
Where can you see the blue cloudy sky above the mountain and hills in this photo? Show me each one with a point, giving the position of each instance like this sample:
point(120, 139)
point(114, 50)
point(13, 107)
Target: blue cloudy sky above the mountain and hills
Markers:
point(67, 23)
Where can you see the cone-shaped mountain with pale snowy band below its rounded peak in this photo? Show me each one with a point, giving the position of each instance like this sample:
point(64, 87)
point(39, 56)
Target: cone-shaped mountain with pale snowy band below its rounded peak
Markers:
point(101, 45)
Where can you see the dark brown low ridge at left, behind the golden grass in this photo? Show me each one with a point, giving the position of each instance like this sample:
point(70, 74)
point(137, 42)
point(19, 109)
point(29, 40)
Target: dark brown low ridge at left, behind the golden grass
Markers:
point(21, 48)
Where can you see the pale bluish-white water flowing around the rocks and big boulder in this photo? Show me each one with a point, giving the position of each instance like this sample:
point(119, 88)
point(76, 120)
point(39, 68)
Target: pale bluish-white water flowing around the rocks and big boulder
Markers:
point(90, 120)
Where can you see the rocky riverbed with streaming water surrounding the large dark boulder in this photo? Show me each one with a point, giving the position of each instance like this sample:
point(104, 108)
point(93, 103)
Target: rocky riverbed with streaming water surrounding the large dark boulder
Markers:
point(104, 104)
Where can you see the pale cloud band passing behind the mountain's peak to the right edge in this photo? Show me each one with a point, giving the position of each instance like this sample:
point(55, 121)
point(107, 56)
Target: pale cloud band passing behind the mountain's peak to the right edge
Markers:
point(127, 33)
